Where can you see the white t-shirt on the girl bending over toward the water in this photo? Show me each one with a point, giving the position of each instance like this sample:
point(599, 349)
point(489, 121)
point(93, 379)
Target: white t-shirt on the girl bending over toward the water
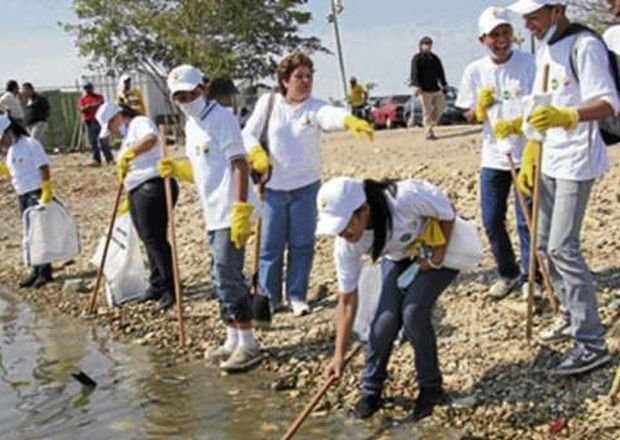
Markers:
point(414, 203)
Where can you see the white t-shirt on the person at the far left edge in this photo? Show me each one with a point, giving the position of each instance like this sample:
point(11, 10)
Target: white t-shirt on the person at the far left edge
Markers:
point(24, 159)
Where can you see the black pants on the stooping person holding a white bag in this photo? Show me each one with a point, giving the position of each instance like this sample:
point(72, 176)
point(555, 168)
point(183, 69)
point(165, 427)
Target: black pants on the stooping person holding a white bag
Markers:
point(147, 206)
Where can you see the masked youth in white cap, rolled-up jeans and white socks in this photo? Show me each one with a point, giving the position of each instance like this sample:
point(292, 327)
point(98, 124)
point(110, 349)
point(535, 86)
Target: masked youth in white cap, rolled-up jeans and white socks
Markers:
point(218, 166)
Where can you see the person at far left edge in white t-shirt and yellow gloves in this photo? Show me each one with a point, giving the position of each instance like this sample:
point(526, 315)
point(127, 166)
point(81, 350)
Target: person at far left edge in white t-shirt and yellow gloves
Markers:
point(29, 169)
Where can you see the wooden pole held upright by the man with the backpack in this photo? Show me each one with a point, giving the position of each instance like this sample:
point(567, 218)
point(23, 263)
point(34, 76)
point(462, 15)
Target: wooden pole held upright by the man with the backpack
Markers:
point(534, 235)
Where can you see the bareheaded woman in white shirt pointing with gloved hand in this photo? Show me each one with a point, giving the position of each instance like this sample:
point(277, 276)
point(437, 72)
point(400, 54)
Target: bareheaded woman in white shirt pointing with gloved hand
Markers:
point(293, 143)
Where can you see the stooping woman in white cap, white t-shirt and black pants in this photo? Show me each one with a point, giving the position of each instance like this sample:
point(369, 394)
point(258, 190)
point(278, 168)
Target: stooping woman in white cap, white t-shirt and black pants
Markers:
point(137, 168)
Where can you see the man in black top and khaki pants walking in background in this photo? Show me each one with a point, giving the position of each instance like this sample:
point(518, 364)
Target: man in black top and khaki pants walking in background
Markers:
point(427, 81)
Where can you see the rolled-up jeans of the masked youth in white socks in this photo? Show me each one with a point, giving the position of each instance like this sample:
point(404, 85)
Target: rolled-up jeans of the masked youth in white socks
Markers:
point(227, 277)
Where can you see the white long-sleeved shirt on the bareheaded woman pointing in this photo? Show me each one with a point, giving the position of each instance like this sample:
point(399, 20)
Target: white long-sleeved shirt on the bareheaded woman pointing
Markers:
point(294, 138)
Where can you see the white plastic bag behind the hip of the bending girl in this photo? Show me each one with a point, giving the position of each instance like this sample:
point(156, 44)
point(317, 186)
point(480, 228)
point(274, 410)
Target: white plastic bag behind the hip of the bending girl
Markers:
point(464, 251)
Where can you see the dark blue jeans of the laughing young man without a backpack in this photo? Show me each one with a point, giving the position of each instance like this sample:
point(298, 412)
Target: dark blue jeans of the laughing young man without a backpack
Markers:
point(494, 191)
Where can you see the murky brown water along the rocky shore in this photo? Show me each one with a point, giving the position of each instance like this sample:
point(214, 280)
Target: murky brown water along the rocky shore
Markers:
point(139, 395)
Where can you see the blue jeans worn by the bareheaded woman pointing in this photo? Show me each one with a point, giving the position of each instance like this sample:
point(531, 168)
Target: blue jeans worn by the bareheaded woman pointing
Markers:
point(289, 218)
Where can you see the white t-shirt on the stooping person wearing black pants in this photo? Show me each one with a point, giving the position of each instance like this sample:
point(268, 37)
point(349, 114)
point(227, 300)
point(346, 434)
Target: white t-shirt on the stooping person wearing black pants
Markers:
point(144, 166)
